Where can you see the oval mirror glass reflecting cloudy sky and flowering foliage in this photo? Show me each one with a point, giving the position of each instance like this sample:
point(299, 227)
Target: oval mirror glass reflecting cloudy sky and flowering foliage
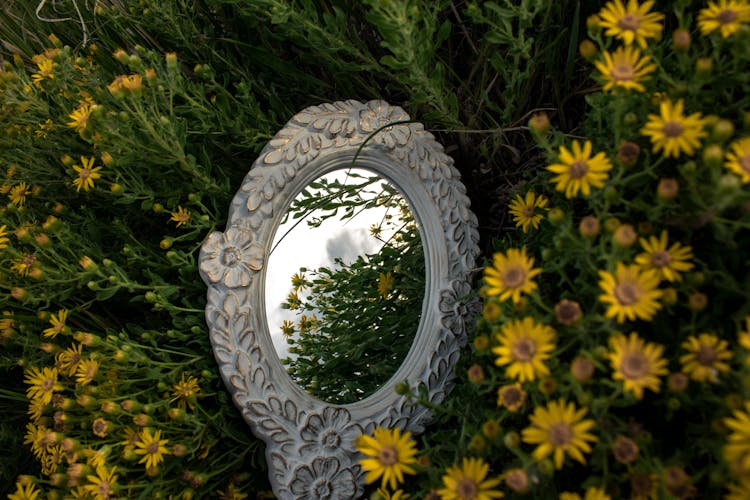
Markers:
point(344, 285)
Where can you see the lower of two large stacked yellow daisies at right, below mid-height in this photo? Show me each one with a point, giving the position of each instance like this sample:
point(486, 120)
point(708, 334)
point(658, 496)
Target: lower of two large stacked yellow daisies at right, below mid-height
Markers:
point(637, 363)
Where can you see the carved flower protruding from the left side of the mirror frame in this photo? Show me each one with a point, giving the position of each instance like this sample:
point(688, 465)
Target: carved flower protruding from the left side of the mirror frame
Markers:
point(231, 257)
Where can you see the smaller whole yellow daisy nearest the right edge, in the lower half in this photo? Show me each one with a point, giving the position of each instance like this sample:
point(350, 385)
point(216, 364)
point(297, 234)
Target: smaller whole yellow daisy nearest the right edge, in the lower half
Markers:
point(706, 357)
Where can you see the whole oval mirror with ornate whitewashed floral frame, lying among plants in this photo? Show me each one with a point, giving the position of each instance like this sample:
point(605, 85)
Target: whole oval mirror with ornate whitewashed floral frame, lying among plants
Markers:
point(310, 427)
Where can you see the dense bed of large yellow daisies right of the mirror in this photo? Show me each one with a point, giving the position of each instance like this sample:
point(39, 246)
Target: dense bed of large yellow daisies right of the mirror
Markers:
point(611, 356)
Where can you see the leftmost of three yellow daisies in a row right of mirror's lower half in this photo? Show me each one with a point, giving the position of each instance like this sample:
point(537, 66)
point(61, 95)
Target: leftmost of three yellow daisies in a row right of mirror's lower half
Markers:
point(524, 346)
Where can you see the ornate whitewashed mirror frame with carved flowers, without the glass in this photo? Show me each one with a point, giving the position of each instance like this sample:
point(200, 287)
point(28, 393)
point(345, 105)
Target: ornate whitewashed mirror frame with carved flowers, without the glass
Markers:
point(310, 443)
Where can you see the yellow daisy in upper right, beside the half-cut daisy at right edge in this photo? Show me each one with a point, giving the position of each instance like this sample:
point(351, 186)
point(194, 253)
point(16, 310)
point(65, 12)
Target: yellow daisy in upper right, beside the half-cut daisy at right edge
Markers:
point(674, 132)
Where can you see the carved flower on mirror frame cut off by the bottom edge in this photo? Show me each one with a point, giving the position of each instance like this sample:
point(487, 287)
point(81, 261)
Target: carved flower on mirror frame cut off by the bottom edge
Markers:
point(324, 480)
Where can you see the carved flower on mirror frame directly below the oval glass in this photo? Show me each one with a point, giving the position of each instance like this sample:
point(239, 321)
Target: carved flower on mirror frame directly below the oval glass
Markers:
point(331, 433)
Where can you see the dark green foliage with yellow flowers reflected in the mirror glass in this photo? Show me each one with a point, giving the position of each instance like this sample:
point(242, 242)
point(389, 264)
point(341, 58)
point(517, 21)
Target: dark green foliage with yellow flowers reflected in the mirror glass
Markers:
point(355, 321)
